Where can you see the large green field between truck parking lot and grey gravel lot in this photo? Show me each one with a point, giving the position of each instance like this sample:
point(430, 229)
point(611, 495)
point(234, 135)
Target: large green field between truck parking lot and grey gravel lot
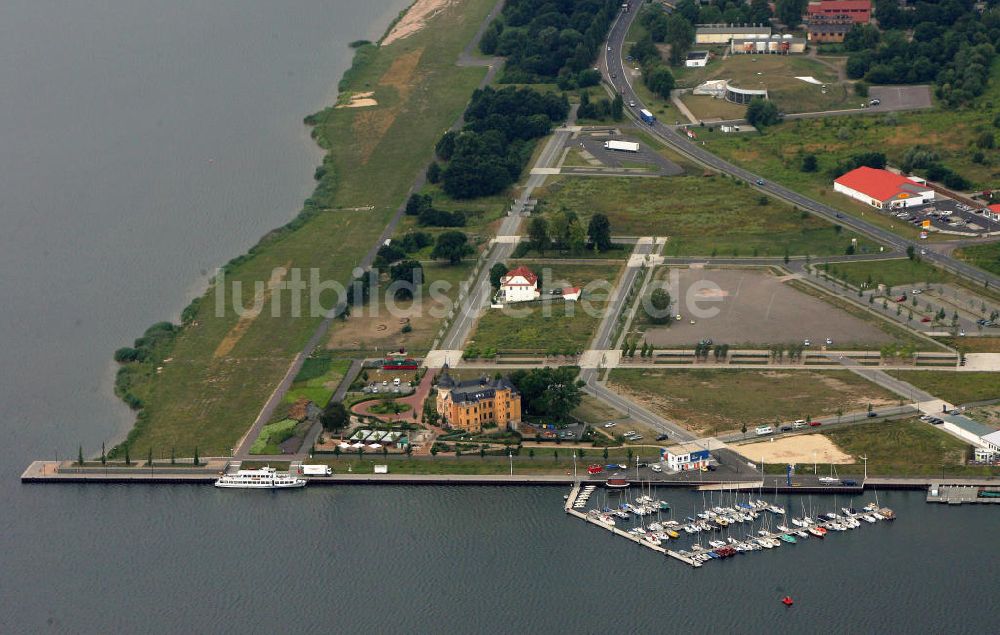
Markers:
point(701, 216)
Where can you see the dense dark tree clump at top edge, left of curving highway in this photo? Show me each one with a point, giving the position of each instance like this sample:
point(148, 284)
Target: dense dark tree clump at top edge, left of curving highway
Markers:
point(548, 39)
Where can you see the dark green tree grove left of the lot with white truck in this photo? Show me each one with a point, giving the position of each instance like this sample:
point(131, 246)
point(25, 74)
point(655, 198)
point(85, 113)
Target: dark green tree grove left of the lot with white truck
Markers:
point(488, 155)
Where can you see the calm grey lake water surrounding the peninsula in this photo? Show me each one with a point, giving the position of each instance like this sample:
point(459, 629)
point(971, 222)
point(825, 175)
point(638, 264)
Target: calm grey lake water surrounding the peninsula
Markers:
point(145, 142)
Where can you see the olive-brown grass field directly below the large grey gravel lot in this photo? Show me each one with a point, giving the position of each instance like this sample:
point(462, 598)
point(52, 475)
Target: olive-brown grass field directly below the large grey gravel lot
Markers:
point(713, 401)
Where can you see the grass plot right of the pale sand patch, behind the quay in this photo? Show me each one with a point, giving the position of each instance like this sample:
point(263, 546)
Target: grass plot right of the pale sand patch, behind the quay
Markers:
point(906, 447)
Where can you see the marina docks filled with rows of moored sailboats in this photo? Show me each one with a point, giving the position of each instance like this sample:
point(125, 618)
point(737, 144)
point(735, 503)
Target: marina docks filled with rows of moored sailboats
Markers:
point(734, 524)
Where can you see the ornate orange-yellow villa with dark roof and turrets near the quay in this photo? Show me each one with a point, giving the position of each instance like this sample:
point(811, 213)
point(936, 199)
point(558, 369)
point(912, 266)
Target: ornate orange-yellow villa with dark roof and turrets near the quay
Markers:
point(474, 404)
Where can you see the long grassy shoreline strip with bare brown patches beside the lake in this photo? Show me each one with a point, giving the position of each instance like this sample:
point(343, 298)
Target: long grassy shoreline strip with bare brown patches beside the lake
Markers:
point(208, 394)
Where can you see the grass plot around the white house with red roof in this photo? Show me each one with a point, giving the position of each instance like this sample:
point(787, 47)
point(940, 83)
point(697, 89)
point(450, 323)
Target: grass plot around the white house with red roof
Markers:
point(551, 324)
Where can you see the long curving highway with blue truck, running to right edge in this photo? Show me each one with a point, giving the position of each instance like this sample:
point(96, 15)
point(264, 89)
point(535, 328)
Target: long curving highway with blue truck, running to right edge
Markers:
point(613, 67)
